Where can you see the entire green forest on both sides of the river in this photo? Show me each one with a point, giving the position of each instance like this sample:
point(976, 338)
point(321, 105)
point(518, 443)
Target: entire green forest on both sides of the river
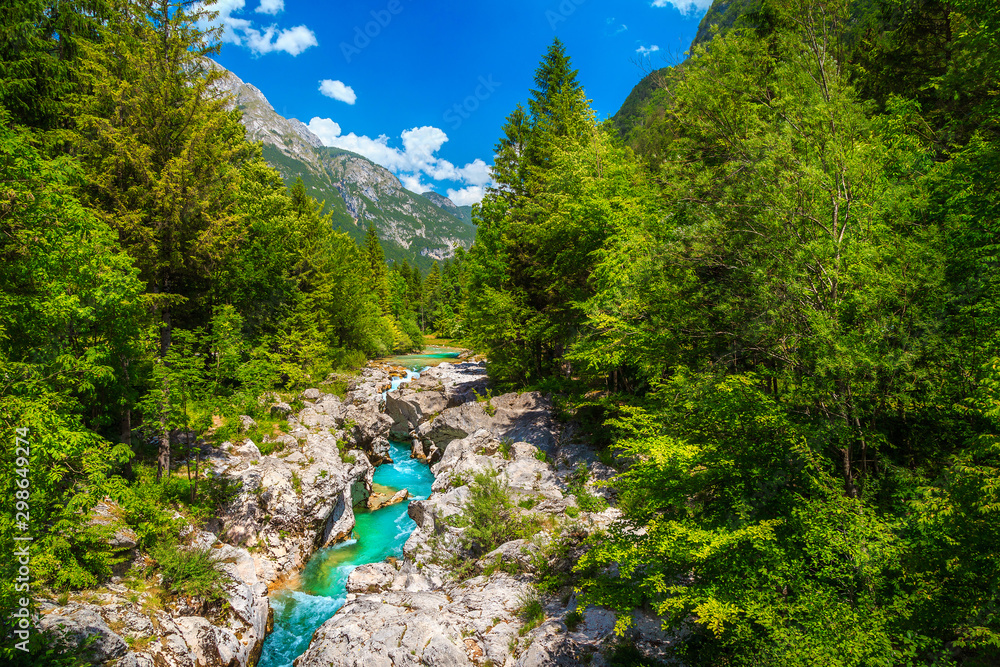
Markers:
point(772, 303)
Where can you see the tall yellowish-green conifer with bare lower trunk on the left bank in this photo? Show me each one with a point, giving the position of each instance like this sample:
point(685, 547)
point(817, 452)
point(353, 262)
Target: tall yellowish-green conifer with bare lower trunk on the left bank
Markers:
point(162, 154)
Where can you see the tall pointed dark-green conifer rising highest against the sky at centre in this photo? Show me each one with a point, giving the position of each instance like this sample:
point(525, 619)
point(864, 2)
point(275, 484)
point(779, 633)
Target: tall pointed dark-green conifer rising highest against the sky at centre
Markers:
point(519, 296)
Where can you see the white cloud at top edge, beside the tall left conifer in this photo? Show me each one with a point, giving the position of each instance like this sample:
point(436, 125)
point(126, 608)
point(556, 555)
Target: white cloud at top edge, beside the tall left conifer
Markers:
point(243, 32)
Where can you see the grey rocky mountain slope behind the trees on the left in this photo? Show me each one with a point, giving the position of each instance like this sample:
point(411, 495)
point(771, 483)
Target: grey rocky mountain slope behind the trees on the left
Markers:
point(356, 191)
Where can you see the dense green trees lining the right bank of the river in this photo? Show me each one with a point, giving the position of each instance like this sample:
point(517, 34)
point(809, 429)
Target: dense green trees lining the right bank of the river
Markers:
point(775, 302)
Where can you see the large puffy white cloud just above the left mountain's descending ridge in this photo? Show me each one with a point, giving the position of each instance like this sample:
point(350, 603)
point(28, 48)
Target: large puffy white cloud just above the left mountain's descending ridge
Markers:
point(415, 161)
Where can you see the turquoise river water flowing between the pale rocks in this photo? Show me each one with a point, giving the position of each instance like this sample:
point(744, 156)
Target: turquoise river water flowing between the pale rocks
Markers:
point(321, 589)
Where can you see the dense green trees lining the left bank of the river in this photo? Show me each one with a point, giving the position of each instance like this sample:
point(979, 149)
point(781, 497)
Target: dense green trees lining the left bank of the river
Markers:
point(154, 273)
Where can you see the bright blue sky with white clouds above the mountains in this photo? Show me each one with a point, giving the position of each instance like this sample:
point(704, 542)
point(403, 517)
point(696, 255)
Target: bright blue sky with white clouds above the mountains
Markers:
point(423, 87)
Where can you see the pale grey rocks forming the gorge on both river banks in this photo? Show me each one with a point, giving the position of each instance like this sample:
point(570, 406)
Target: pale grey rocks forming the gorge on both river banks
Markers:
point(444, 601)
